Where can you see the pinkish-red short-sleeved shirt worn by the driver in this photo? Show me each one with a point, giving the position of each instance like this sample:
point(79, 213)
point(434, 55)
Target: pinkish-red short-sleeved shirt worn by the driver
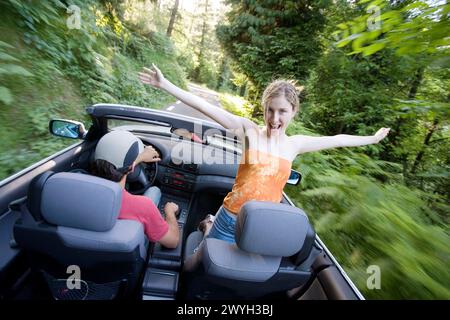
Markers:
point(142, 209)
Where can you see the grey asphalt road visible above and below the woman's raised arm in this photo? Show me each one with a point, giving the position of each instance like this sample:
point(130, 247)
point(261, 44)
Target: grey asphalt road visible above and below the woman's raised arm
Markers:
point(181, 108)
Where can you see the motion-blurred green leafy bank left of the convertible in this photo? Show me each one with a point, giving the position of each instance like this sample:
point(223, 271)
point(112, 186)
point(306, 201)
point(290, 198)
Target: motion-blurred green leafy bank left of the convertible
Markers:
point(71, 69)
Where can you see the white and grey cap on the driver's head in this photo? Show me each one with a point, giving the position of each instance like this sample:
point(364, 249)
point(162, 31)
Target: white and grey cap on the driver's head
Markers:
point(119, 147)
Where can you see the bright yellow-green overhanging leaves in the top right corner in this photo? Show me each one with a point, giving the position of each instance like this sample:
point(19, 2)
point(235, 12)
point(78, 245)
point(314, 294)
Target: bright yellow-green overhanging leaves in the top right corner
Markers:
point(418, 27)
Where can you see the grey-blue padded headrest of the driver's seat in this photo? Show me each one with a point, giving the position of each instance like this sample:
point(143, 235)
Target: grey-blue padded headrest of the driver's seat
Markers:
point(81, 201)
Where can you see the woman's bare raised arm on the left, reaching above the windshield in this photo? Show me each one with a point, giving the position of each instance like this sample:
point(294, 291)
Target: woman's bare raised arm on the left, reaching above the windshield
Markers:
point(155, 78)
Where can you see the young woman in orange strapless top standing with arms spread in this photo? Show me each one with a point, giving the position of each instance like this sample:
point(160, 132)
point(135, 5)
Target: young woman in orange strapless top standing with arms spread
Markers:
point(267, 152)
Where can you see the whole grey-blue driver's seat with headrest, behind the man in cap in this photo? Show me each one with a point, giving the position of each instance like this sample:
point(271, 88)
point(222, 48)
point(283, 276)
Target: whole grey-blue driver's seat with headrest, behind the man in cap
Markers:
point(70, 219)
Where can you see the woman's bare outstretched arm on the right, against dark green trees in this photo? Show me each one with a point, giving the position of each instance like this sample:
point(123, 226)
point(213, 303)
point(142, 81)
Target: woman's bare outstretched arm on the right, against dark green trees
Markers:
point(306, 144)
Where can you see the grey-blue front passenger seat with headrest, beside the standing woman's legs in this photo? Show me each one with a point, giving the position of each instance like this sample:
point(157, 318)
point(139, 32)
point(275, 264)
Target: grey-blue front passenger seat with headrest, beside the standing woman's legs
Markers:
point(273, 253)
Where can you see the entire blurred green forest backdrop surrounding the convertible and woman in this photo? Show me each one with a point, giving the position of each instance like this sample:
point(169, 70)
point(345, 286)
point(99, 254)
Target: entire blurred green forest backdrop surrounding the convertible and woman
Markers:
point(363, 65)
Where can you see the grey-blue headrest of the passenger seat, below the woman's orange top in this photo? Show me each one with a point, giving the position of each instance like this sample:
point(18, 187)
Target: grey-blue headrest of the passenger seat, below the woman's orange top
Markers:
point(272, 229)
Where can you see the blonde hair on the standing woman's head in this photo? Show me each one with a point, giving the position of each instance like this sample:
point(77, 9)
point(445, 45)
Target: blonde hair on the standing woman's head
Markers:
point(282, 88)
